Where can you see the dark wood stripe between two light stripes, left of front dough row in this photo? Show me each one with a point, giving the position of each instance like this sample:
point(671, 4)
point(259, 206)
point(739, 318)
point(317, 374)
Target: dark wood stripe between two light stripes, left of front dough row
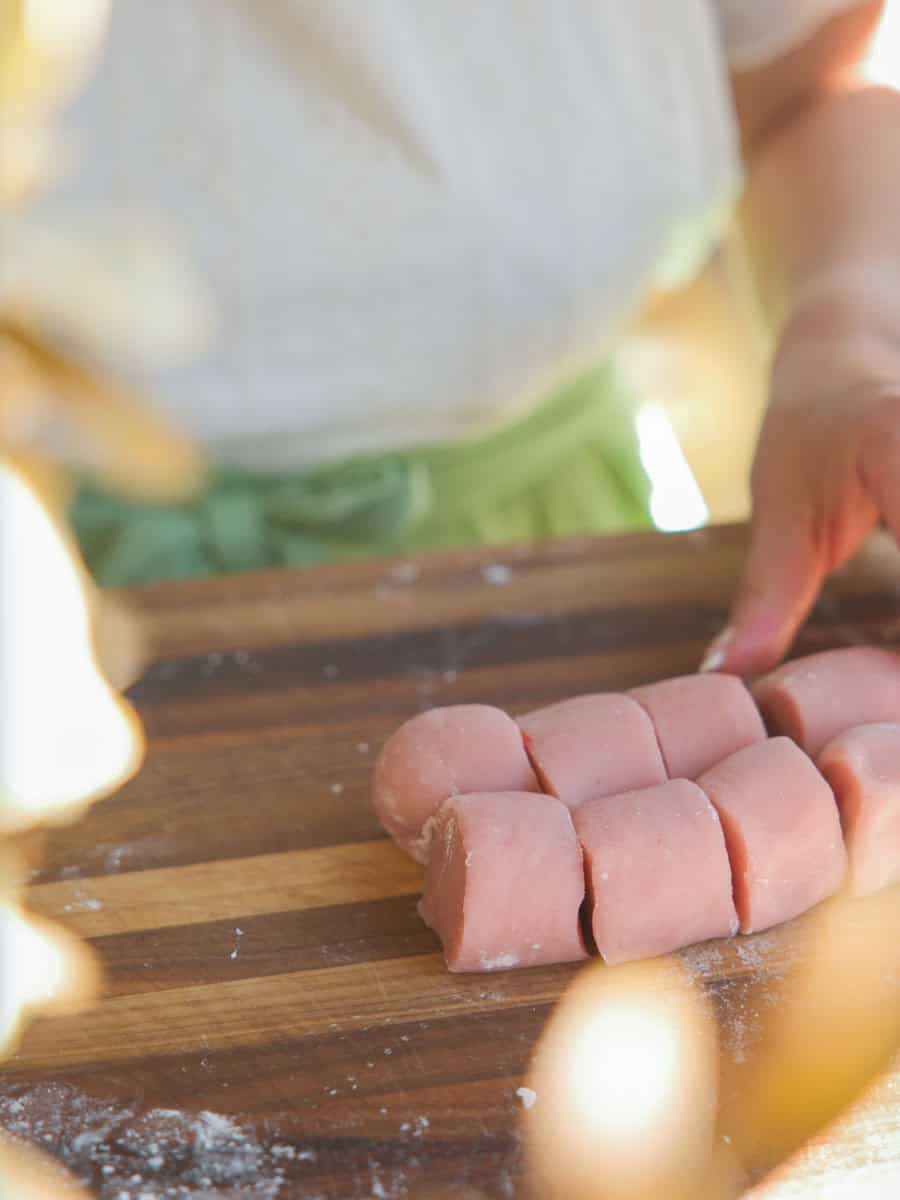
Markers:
point(274, 944)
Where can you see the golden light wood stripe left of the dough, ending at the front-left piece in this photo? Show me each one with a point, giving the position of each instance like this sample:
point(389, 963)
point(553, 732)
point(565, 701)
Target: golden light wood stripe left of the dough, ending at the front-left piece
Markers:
point(224, 891)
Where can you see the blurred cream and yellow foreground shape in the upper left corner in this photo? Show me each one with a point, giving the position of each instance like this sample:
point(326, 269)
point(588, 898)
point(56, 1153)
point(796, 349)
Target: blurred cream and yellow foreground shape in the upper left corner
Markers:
point(73, 302)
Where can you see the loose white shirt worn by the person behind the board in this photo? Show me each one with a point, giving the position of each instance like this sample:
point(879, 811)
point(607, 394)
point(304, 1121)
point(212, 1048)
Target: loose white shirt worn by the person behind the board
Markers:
point(415, 215)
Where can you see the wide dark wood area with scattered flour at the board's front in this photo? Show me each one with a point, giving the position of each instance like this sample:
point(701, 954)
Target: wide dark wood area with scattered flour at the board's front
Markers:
point(413, 1107)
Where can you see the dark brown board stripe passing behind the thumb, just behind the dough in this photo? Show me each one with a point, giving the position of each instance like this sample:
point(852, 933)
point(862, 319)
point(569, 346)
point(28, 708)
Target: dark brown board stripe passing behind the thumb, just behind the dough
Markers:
point(321, 682)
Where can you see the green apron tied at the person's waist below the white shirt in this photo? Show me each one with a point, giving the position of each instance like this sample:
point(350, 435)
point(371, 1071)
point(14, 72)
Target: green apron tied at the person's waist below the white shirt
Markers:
point(571, 467)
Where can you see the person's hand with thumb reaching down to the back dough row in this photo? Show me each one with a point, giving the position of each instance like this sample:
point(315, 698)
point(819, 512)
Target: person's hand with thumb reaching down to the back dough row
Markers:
point(827, 469)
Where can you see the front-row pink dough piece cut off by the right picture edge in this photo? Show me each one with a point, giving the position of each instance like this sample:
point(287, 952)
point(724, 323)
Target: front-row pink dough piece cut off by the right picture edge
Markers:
point(863, 769)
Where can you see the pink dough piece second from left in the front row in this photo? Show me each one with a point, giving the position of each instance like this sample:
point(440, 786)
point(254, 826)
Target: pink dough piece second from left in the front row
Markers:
point(657, 869)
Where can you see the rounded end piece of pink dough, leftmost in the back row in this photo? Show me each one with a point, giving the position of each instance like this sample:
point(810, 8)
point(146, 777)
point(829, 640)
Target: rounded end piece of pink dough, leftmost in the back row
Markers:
point(442, 753)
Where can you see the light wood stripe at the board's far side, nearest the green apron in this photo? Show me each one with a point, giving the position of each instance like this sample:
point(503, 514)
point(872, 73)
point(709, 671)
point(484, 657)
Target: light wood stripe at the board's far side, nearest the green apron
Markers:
point(317, 607)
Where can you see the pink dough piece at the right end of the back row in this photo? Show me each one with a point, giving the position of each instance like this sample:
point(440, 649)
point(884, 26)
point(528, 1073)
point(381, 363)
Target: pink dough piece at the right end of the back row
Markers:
point(814, 699)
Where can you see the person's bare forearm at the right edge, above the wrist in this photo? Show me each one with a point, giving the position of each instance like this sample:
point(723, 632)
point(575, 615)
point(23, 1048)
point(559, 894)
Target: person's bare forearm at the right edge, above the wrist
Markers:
point(823, 217)
